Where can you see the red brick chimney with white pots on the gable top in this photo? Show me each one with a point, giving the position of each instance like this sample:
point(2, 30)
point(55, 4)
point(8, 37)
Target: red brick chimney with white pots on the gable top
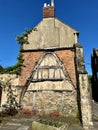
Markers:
point(48, 11)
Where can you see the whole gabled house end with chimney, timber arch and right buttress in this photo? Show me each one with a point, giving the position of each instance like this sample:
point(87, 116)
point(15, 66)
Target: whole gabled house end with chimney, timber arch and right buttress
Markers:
point(53, 77)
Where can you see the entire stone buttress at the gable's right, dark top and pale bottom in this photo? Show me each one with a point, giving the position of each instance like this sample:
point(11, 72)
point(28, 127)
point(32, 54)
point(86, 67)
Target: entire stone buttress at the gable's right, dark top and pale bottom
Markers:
point(85, 100)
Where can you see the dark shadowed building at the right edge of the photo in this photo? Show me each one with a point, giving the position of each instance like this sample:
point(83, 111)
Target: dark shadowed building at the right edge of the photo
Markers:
point(94, 64)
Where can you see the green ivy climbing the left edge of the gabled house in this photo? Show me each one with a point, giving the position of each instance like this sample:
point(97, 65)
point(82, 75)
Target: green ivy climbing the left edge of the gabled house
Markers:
point(22, 39)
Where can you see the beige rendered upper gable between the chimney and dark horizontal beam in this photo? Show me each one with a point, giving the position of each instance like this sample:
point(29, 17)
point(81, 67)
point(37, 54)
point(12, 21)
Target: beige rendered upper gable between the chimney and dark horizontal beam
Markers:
point(51, 33)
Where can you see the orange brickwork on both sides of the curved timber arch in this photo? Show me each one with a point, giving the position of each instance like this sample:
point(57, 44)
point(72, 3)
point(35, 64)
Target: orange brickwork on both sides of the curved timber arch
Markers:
point(30, 59)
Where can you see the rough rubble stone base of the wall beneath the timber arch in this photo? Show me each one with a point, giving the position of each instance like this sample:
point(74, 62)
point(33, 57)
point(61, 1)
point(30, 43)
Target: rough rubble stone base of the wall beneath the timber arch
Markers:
point(47, 102)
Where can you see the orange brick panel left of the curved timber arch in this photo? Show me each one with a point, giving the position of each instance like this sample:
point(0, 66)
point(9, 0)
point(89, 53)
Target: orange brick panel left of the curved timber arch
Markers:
point(30, 59)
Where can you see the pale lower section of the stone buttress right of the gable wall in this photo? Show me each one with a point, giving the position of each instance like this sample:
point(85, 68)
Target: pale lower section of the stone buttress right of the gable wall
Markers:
point(85, 101)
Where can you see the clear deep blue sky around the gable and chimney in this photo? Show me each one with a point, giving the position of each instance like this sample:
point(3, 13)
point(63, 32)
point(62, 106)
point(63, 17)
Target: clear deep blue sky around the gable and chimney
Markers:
point(18, 15)
